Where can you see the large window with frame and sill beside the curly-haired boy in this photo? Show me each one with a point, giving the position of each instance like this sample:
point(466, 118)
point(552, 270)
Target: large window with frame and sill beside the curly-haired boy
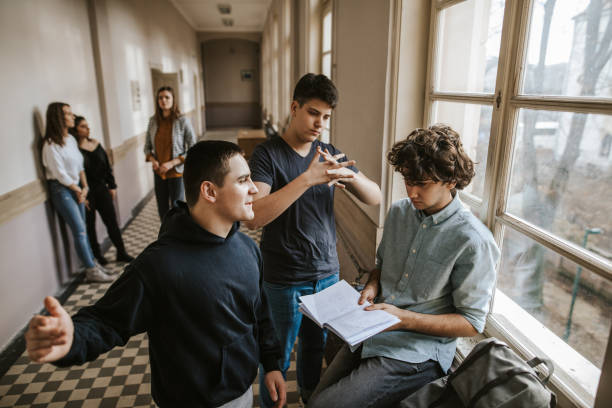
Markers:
point(528, 85)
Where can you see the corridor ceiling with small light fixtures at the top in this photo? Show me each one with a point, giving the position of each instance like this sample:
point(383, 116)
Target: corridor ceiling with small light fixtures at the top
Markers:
point(204, 15)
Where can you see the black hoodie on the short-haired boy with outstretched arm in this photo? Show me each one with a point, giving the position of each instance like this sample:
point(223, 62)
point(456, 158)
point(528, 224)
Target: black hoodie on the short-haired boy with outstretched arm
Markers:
point(200, 300)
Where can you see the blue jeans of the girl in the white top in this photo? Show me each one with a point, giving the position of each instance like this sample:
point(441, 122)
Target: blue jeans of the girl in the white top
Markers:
point(73, 214)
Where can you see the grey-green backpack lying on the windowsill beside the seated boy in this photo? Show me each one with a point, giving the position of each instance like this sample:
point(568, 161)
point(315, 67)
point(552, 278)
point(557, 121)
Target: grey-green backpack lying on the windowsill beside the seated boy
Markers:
point(491, 376)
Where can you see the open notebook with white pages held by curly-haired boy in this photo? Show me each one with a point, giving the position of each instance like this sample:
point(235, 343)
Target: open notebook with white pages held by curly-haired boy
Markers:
point(336, 308)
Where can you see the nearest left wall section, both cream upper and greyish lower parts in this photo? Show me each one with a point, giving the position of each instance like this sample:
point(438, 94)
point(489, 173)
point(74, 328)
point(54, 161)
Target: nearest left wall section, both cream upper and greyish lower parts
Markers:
point(46, 56)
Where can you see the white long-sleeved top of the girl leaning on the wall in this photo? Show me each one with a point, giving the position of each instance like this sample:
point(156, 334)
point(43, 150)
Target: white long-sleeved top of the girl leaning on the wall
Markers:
point(63, 163)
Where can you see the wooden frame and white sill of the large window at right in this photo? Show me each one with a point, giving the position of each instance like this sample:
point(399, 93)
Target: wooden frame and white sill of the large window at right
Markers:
point(573, 379)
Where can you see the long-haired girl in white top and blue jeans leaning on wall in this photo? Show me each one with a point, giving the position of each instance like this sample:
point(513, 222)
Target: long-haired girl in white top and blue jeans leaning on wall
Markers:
point(68, 188)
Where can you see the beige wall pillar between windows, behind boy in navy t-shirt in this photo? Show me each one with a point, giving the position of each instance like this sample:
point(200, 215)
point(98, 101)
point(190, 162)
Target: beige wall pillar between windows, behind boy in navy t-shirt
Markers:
point(361, 79)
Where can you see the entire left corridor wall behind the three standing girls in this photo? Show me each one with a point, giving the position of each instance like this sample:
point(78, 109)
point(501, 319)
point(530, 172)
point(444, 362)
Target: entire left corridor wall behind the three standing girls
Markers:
point(84, 53)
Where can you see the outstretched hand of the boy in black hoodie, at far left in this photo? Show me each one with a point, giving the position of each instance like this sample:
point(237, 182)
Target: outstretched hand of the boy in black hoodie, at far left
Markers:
point(49, 338)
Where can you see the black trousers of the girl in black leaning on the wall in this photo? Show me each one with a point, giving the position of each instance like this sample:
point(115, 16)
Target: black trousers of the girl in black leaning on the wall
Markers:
point(100, 200)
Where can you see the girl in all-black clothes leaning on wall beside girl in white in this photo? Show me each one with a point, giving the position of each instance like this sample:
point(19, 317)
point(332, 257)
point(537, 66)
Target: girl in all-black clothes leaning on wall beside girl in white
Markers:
point(102, 192)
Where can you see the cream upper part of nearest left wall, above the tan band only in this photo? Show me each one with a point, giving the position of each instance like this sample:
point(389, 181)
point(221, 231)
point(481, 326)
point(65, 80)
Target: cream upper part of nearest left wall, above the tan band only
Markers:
point(46, 56)
